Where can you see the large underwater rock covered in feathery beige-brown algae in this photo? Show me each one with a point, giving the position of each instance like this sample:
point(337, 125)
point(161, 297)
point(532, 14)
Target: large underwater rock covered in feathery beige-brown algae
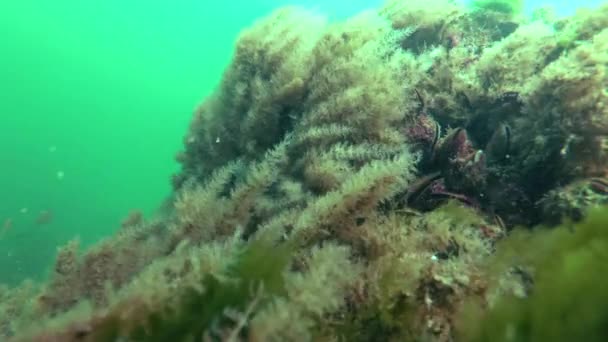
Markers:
point(353, 181)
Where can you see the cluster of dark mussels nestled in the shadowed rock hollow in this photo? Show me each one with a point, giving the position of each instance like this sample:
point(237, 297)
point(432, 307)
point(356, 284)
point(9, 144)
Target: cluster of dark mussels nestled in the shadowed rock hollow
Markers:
point(485, 165)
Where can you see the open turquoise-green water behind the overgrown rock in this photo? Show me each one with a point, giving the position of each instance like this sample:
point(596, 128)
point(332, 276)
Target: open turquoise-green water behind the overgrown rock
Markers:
point(94, 99)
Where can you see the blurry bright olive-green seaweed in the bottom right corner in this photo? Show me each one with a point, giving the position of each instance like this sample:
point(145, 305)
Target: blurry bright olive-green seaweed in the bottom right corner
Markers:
point(568, 300)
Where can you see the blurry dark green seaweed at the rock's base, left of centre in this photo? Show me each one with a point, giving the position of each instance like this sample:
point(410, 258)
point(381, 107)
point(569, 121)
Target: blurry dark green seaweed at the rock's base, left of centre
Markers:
point(192, 309)
